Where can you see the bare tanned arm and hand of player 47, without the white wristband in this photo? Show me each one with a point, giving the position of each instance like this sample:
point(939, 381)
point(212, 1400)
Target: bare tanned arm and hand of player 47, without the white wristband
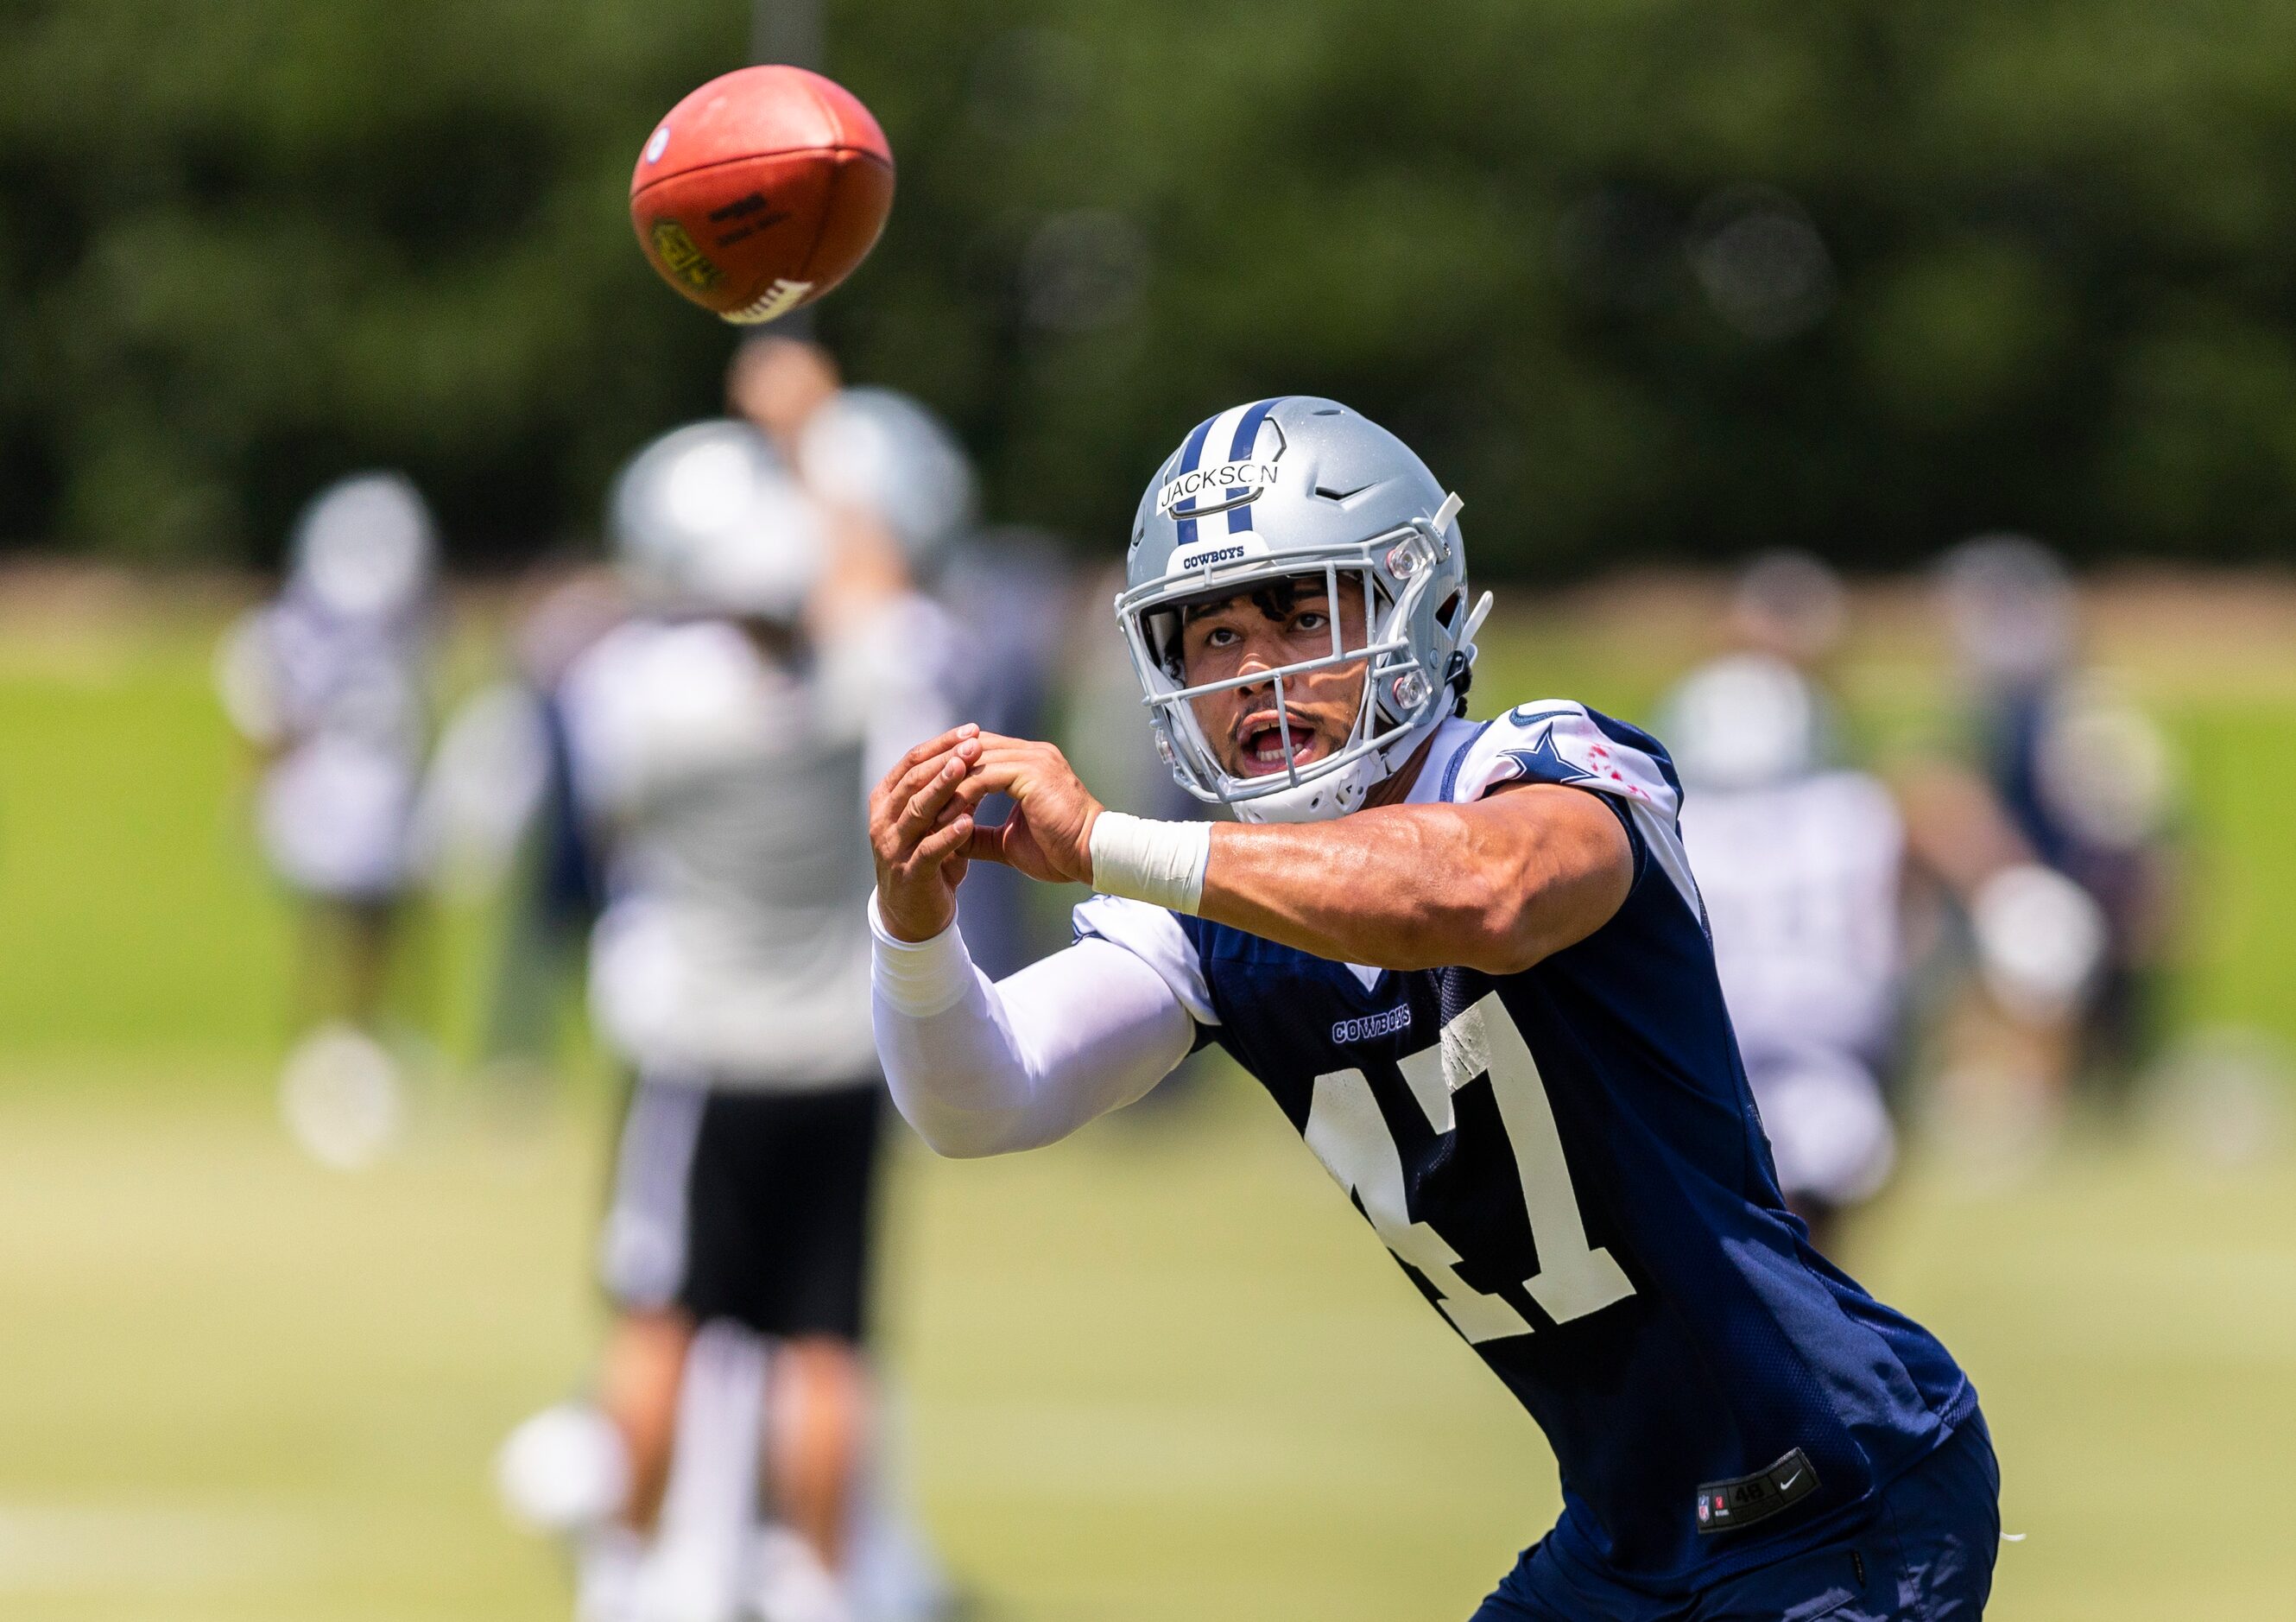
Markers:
point(1491, 886)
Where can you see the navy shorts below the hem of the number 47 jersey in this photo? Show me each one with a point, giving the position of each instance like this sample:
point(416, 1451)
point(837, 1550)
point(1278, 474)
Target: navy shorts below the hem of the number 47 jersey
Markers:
point(1925, 1557)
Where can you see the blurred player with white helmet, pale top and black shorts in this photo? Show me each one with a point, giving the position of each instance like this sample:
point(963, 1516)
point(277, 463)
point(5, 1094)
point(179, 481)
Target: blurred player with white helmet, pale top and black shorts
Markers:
point(717, 748)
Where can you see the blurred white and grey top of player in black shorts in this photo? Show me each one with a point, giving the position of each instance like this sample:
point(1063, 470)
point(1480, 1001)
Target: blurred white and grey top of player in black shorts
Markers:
point(729, 796)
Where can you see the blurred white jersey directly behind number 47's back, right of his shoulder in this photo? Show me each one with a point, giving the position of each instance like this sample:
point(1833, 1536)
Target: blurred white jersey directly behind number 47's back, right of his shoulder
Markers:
point(1801, 888)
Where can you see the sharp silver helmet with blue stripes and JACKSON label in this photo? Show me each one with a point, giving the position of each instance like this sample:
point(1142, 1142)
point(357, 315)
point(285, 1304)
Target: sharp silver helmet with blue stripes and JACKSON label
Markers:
point(1287, 488)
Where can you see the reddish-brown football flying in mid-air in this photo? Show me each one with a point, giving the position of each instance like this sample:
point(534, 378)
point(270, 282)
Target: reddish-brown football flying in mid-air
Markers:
point(761, 192)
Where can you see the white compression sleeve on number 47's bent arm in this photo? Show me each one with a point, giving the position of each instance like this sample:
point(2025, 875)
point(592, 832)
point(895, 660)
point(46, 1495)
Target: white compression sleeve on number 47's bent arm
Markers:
point(986, 1069)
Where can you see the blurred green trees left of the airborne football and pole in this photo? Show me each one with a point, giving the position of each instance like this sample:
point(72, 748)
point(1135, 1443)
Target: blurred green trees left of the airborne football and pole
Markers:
point(247, 247)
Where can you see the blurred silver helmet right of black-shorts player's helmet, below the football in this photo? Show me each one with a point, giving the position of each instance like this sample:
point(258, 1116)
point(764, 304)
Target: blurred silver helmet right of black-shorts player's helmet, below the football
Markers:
point(885, 454)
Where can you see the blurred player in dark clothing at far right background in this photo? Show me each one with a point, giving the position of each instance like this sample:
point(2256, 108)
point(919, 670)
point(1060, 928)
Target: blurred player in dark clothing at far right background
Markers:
point(2088, 785)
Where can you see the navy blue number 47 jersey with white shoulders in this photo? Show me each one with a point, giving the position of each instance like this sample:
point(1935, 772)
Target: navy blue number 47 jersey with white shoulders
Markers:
point(1569, 1166)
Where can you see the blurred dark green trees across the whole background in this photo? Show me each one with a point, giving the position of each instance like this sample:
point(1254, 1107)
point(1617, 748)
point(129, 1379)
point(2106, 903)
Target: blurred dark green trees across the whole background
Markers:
point(1645, 279)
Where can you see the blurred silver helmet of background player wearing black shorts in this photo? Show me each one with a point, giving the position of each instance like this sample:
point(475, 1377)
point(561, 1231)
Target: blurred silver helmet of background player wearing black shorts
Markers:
point(708, 518)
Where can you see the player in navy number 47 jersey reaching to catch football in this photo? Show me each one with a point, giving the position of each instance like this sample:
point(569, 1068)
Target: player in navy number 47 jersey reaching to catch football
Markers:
point(1473, 971)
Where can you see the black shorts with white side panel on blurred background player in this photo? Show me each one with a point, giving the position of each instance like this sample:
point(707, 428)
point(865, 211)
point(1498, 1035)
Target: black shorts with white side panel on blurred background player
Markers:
point(745, 1205)
